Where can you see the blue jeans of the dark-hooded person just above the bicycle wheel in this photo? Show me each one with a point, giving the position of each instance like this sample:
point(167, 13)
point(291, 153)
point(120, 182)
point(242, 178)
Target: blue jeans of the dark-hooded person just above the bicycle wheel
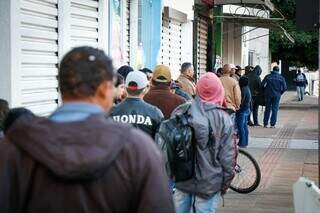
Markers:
point(243, 132)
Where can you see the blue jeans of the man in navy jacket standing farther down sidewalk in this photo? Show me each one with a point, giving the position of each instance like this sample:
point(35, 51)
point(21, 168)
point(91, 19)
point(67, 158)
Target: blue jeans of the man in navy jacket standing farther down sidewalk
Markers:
point(272, 104)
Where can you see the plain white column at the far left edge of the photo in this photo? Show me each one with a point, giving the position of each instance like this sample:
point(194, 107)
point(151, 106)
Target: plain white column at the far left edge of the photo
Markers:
point(10, 52)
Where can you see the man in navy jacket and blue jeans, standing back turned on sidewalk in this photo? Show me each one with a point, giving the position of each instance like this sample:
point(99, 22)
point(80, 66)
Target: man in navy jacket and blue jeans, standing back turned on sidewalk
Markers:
point(274, 86)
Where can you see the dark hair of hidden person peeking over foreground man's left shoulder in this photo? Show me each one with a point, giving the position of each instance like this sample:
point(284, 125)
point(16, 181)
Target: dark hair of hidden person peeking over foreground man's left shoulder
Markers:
point(13, 115)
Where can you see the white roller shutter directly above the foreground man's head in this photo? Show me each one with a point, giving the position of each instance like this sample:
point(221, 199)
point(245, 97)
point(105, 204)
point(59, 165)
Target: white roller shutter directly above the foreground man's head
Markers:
point(84, 23)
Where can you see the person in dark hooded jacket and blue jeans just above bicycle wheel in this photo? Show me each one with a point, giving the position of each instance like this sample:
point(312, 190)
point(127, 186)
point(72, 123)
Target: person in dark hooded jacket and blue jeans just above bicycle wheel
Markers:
point(243, 113)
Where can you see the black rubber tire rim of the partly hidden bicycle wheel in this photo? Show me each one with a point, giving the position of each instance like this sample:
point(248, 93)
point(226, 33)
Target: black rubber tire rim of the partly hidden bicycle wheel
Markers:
point(258, 175)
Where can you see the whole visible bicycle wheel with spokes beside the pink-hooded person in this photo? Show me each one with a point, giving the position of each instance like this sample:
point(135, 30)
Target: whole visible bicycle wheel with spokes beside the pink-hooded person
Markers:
point(247, 173)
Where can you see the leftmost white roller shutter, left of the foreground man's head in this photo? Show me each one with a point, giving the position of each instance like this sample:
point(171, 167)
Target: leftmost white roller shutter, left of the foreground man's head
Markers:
point(39, 55)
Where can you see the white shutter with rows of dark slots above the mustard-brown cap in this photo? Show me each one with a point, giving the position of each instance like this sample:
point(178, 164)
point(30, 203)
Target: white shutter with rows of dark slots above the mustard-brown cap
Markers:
point(171, 45)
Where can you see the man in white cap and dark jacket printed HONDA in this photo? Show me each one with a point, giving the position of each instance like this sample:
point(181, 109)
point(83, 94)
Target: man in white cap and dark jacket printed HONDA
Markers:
point(134, 110)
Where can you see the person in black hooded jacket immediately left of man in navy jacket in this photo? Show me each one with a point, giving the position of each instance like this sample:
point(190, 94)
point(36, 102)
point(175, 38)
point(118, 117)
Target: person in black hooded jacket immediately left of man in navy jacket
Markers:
point(255, 89)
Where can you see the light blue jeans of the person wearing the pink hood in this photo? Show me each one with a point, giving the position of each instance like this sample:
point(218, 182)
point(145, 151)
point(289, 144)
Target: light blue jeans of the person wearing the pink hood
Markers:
point(185, 203)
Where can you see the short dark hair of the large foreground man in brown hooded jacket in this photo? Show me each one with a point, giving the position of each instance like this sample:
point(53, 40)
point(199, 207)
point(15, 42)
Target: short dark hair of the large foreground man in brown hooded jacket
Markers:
point(82, 70)
